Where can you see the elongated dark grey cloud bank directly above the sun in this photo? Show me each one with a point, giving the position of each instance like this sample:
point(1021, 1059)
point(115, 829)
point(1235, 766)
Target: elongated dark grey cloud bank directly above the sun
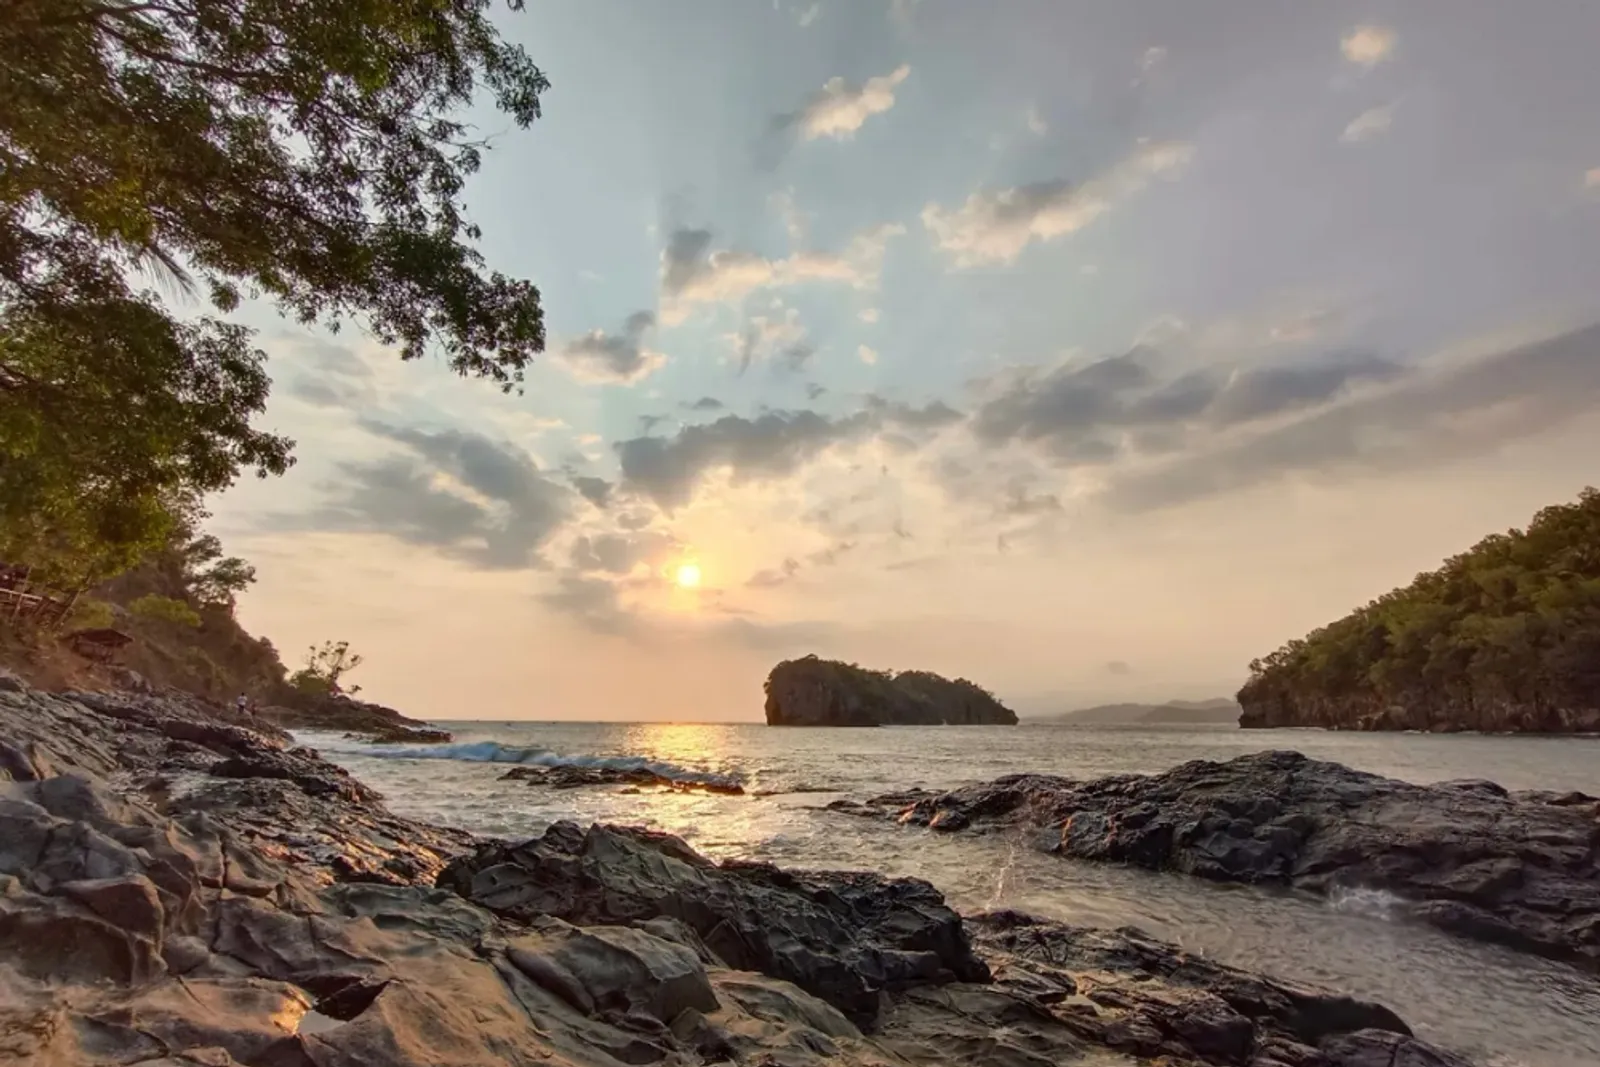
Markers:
point(772, 446)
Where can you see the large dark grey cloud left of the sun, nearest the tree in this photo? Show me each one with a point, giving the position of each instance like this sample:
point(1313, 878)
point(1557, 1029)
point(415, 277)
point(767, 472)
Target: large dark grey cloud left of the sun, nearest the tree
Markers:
point(473, 498)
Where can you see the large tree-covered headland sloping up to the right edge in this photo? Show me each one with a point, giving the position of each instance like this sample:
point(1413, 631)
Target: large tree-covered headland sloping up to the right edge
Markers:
point(1500, 639)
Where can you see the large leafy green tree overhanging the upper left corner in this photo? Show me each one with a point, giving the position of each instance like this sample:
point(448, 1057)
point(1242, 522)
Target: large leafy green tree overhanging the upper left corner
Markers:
point(300, 151)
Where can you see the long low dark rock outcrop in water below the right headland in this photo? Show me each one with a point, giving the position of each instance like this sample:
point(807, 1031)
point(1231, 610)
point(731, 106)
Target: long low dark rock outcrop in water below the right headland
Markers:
point(1518, 869)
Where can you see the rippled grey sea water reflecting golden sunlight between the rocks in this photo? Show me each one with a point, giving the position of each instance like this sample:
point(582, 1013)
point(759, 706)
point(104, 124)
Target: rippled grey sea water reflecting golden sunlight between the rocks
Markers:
point(1502, 1009)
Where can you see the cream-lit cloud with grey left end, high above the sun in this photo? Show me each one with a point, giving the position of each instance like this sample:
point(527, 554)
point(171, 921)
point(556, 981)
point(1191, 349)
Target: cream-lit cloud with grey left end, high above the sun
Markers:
point(692, 273)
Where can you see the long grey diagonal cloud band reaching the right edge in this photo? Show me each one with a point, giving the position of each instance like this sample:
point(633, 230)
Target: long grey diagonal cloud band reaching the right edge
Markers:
point(1423, 420)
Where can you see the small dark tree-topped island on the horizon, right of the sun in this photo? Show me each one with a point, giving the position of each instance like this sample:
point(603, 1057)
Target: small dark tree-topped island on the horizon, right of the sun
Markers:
point(815, 692)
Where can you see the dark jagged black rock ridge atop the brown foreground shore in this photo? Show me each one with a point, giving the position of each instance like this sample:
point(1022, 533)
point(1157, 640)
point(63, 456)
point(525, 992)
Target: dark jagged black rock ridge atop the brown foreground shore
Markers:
point(844, 938)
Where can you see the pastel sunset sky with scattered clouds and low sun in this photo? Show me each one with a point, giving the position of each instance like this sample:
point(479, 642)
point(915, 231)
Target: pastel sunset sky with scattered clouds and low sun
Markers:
point(1087, 351)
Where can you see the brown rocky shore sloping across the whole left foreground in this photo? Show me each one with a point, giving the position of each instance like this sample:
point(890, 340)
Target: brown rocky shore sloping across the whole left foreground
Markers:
point(180, 892)
